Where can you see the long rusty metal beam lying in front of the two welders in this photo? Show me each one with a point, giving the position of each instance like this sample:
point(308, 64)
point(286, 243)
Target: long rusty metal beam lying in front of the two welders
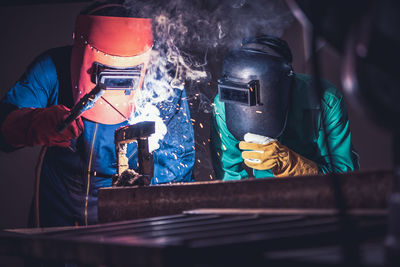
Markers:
point(362, 190)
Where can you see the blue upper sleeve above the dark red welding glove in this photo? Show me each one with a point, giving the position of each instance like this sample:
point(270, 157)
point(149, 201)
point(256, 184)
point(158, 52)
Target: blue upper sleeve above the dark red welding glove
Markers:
point(37, 88)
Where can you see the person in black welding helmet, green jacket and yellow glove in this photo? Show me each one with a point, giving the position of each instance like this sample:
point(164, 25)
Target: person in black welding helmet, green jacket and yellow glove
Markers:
point(272, 119)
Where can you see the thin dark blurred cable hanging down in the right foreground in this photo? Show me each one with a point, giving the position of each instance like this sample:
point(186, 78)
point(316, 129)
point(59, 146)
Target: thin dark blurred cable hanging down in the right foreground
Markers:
point(349, 244)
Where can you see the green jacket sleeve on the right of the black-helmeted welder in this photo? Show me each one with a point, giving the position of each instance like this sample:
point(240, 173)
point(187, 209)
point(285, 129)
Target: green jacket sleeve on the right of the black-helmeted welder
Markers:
point(336, 135)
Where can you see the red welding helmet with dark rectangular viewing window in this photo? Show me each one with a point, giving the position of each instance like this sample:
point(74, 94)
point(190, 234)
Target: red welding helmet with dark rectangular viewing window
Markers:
point(114, 51)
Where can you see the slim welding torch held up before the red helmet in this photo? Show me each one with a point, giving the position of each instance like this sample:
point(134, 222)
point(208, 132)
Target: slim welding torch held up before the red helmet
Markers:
point(85, 103)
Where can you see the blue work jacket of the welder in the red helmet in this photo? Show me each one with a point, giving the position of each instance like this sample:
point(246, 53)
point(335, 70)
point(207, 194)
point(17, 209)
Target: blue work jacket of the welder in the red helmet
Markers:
point(70, 177)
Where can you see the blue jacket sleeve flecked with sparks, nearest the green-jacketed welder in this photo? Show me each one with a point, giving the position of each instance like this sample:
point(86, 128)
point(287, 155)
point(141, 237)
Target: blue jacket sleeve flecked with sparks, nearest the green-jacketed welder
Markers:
point(174, 160)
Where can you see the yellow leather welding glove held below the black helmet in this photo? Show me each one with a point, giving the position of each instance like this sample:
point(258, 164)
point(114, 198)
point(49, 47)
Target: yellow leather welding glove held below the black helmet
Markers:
point(278, 158)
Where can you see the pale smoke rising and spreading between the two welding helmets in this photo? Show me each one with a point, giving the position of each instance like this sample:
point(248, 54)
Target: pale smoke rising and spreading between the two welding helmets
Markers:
point(191, 38)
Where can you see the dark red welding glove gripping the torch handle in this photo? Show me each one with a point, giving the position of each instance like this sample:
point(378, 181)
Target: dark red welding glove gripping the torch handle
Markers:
point(37, 126)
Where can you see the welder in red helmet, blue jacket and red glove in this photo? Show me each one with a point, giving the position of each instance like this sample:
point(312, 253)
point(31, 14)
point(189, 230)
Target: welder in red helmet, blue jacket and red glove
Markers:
point(112, 46)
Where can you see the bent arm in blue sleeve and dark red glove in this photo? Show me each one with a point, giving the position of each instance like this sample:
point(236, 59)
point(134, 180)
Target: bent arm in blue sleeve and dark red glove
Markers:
point(30, 117)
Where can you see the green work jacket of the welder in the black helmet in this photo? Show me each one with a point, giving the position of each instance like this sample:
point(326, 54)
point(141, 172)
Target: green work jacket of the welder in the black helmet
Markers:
point(304, 133)
